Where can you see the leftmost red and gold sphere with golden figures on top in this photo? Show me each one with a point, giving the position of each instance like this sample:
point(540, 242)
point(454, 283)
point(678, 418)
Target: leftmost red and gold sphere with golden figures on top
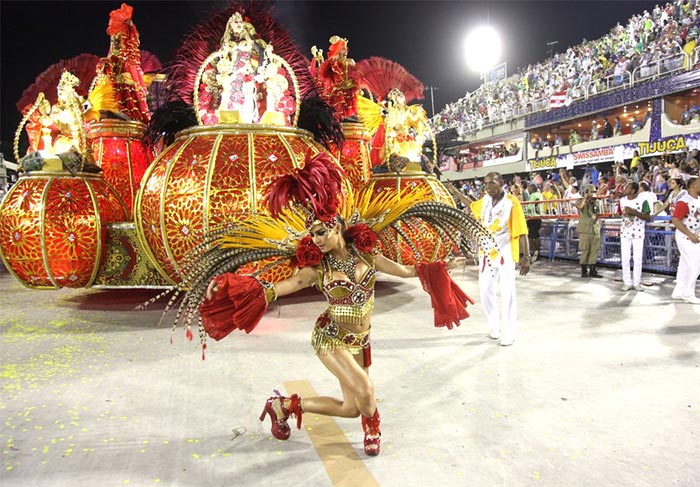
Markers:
point(53, 221)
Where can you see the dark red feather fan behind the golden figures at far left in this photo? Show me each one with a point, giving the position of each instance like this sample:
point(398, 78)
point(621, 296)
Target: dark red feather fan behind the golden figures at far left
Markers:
point(82, 66)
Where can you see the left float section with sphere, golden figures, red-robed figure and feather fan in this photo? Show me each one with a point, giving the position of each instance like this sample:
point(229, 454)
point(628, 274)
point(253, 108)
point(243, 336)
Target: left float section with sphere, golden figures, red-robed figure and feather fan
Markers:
point(67, 222)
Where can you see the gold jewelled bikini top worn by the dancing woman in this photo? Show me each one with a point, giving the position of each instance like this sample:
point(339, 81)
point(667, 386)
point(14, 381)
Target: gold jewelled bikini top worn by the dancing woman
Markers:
point(348, 302)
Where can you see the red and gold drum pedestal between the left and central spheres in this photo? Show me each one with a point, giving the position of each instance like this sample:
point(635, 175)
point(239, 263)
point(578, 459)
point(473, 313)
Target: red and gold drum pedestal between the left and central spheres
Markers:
point(118, 148)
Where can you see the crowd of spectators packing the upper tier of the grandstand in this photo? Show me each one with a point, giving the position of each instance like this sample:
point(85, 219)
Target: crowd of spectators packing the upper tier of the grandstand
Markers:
point(651, 44)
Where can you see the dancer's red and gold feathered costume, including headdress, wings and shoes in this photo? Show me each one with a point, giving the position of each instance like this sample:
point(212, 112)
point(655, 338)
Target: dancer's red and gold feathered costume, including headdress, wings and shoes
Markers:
point(297, 202)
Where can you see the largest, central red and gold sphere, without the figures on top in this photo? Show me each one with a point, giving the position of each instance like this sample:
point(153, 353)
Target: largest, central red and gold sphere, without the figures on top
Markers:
point(211, 177)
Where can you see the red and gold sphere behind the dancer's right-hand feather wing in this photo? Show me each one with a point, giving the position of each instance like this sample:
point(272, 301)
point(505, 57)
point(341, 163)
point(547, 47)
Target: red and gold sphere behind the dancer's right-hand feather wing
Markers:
point(425, 239)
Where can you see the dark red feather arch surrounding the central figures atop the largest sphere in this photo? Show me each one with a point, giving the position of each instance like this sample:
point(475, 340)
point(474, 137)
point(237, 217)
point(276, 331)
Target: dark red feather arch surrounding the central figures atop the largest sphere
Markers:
point(206, 38)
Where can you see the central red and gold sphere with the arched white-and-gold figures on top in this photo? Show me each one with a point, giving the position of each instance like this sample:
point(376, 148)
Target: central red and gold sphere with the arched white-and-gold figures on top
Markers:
point(247, 102)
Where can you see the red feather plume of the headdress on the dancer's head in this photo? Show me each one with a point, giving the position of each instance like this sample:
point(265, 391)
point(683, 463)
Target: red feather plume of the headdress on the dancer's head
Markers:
point(319, 183)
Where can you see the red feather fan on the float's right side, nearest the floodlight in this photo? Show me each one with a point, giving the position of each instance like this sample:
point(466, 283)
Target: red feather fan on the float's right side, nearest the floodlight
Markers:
point(380, 75)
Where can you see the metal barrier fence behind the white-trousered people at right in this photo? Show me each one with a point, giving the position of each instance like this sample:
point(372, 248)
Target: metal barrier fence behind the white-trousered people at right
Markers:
point(559, 240)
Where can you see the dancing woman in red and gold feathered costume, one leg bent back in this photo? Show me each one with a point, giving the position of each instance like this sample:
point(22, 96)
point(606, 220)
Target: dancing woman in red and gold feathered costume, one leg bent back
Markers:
point(341, 260)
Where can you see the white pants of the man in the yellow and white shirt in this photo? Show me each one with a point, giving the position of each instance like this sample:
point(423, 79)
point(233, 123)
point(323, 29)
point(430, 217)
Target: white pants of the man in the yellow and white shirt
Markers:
point(504, 276)
